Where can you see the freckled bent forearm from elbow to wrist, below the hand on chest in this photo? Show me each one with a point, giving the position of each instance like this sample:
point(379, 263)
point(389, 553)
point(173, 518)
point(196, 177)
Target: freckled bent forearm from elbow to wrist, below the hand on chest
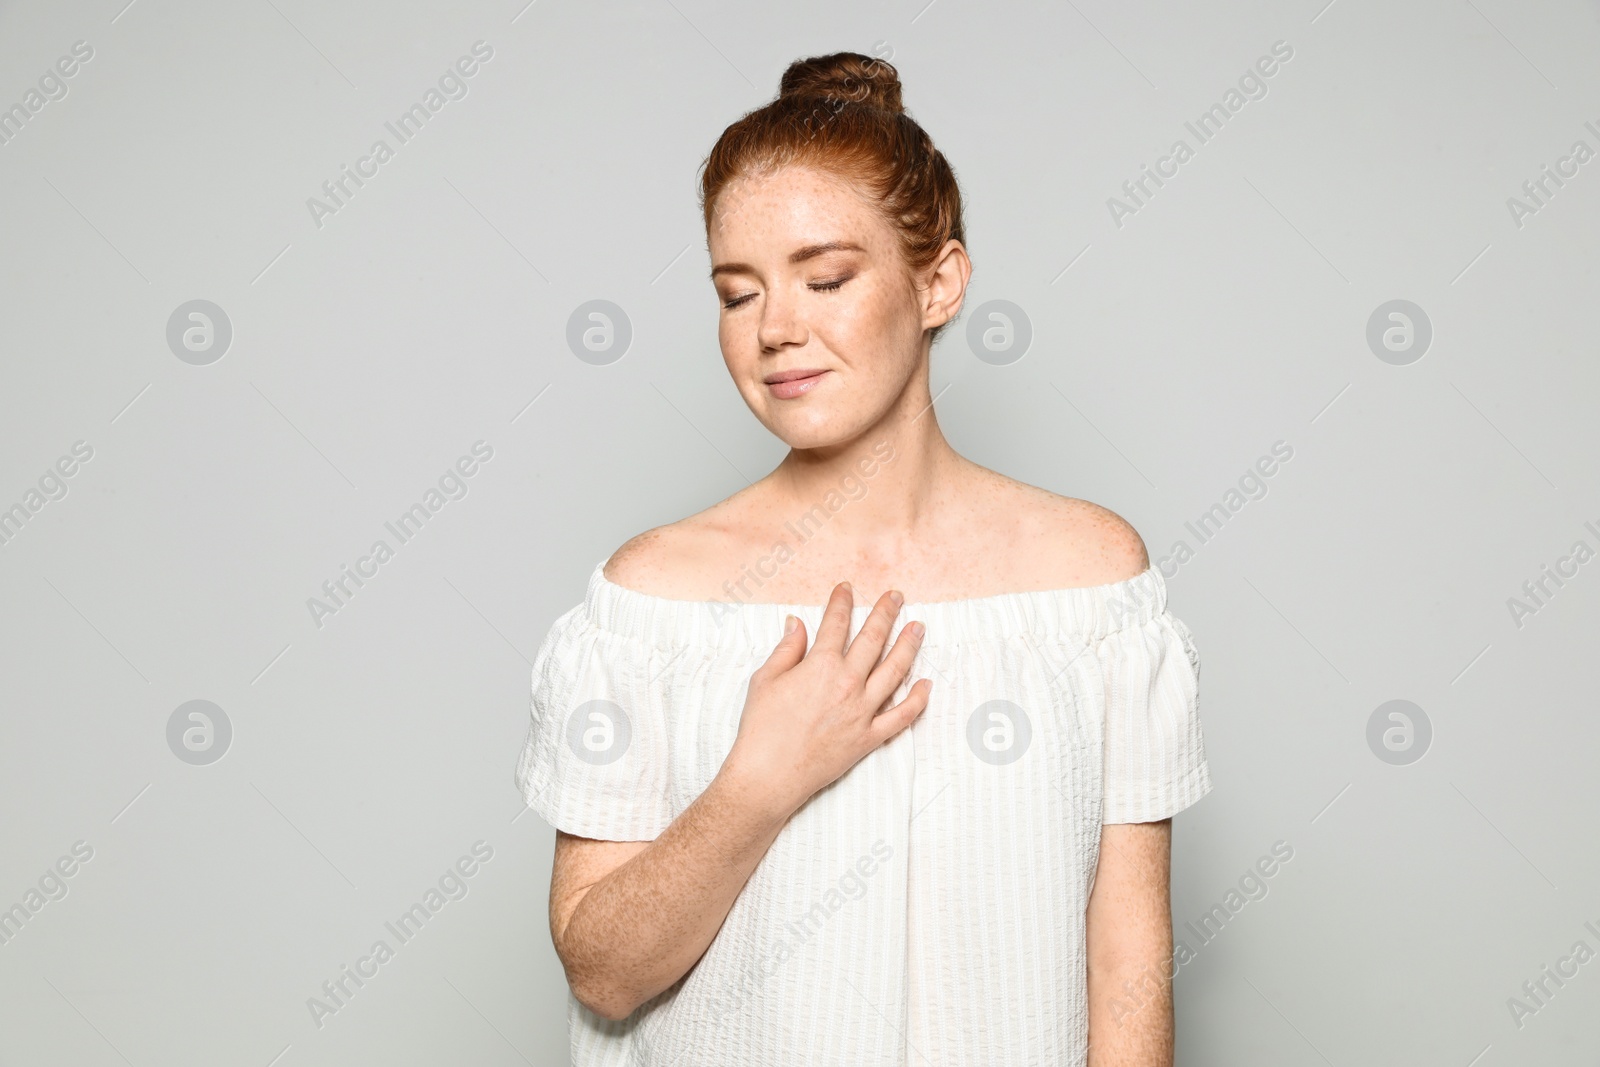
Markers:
point(642, 927)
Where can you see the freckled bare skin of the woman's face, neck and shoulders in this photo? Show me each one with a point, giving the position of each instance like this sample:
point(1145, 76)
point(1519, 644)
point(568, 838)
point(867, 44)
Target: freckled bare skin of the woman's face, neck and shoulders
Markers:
point(932, 524)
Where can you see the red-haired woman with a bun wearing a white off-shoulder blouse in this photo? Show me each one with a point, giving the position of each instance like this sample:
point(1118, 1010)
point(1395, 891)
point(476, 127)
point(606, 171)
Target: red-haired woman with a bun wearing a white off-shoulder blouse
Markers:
point(942, 833)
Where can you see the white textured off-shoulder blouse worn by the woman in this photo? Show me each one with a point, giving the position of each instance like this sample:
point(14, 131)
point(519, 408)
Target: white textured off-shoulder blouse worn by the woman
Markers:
point(929, 908)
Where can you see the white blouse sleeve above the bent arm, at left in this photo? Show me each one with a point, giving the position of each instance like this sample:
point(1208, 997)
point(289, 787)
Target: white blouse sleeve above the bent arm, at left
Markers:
point(596, 759)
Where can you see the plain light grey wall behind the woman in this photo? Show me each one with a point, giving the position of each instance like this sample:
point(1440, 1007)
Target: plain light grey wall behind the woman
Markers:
point(431, 313)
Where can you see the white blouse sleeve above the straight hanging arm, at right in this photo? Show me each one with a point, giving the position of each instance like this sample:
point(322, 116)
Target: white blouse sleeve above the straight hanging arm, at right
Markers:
point(1154, 753)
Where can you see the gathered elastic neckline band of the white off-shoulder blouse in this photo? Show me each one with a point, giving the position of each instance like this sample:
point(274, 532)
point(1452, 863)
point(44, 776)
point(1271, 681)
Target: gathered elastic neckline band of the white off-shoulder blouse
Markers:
point(1089, 612)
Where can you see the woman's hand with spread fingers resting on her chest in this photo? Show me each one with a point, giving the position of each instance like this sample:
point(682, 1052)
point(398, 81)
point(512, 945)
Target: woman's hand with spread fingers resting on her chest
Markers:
point(809, 717)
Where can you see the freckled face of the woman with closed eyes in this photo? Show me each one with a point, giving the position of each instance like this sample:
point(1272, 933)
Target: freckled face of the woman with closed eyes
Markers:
point(810, 279)
